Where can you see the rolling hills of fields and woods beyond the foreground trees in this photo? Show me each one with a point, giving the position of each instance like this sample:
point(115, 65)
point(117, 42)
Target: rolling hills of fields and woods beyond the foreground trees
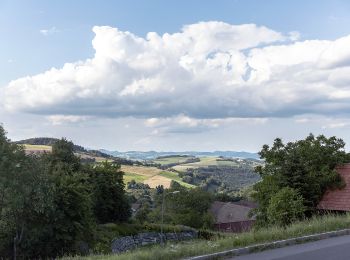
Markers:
point(210, 170)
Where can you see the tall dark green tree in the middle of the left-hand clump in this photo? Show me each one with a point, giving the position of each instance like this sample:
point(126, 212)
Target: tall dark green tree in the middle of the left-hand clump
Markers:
point(72, 218)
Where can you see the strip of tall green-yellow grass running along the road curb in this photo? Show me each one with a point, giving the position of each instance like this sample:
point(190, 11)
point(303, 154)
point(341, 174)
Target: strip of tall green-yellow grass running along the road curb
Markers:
point(199, 247)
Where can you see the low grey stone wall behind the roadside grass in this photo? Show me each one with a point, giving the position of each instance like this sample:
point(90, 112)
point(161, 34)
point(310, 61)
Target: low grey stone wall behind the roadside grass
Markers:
point(123, 244)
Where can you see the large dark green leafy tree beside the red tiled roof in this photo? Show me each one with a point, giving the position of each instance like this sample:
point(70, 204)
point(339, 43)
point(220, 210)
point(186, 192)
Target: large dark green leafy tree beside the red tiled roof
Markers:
point(306, 166)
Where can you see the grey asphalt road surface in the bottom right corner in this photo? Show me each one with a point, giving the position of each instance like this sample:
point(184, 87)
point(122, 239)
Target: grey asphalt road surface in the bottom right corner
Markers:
point(337, 248)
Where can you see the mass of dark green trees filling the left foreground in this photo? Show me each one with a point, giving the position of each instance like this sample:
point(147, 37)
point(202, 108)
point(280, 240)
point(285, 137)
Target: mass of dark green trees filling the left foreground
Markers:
point(50, 205)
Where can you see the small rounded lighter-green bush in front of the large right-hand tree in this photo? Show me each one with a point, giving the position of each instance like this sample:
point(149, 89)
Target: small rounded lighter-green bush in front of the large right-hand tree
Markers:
point(285, 207)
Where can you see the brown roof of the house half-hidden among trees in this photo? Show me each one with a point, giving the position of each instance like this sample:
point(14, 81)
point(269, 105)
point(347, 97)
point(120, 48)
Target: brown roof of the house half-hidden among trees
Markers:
point(228, 212)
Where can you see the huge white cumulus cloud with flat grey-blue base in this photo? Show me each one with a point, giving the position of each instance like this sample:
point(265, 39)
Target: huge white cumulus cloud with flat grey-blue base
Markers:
point(208, 70)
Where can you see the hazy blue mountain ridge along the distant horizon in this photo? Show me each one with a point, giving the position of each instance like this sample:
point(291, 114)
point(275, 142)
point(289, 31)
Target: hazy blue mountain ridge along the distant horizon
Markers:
point(150, 155)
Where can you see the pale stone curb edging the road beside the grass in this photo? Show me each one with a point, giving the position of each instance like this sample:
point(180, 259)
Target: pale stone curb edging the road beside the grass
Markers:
point(271, 245)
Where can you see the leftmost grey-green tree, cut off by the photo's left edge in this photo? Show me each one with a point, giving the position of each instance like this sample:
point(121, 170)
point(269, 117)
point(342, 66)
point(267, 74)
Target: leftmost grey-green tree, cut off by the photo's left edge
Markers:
point(25, 194)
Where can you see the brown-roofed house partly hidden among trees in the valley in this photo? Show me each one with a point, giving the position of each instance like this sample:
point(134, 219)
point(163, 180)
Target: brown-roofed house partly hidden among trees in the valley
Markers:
point(232, 217)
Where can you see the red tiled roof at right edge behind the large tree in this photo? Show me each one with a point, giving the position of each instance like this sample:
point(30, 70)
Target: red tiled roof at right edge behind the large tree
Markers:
point(338, 199)
